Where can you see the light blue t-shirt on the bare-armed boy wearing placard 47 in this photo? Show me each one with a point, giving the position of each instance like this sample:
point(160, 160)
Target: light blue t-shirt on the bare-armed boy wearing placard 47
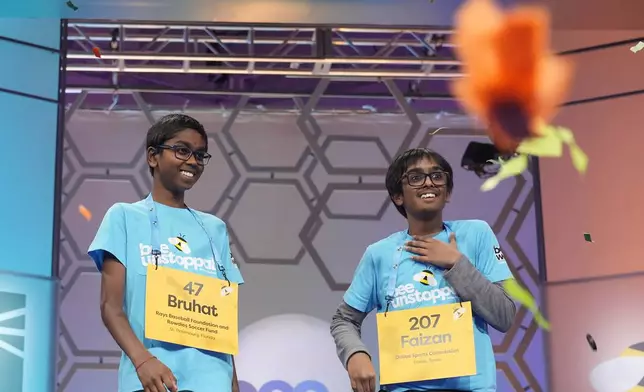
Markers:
point(126, 233)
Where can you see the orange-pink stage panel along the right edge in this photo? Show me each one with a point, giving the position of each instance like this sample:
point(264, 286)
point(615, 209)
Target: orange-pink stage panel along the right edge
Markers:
point(596, 288)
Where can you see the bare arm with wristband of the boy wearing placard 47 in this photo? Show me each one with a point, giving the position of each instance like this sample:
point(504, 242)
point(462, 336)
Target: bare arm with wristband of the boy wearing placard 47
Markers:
point(152, 373)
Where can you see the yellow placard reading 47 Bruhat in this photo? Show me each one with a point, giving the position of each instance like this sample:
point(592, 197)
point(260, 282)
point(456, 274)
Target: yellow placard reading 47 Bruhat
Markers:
point(191, 310)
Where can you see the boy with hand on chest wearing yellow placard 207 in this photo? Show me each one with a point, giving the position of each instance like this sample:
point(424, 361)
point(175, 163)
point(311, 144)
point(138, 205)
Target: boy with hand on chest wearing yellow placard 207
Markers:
point(436, 288)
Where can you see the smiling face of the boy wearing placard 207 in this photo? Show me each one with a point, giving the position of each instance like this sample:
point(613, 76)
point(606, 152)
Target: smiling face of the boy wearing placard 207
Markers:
point(424, 189)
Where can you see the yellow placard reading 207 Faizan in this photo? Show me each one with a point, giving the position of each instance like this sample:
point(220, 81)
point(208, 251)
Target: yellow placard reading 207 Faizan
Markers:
point(426, 344)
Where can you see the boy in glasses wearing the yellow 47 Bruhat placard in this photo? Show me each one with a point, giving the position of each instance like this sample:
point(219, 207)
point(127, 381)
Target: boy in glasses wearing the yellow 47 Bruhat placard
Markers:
point(168, 282)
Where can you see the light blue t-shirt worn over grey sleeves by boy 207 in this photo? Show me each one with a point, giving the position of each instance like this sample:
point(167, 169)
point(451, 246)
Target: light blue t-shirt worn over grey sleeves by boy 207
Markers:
point(417, 288)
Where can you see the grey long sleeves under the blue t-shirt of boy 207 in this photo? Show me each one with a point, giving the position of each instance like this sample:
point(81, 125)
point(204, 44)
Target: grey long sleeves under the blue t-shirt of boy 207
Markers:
point(489, 302)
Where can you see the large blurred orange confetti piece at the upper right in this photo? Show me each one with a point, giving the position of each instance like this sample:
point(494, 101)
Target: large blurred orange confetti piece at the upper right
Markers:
point(503, 55)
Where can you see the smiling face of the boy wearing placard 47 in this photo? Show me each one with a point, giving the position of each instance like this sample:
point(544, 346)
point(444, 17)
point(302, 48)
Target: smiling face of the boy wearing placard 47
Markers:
point(175, 173)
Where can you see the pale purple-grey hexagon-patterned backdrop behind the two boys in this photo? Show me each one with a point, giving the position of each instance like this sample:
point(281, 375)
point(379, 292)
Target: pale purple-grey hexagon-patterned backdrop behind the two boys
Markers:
point(303, 195)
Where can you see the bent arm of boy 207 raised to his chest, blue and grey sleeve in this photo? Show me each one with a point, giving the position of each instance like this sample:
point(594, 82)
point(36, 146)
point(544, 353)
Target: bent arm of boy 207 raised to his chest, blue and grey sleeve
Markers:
point(479, 281)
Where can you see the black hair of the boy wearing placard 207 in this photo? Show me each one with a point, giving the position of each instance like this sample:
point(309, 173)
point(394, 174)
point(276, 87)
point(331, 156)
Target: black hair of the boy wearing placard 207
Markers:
point(400, 164)
